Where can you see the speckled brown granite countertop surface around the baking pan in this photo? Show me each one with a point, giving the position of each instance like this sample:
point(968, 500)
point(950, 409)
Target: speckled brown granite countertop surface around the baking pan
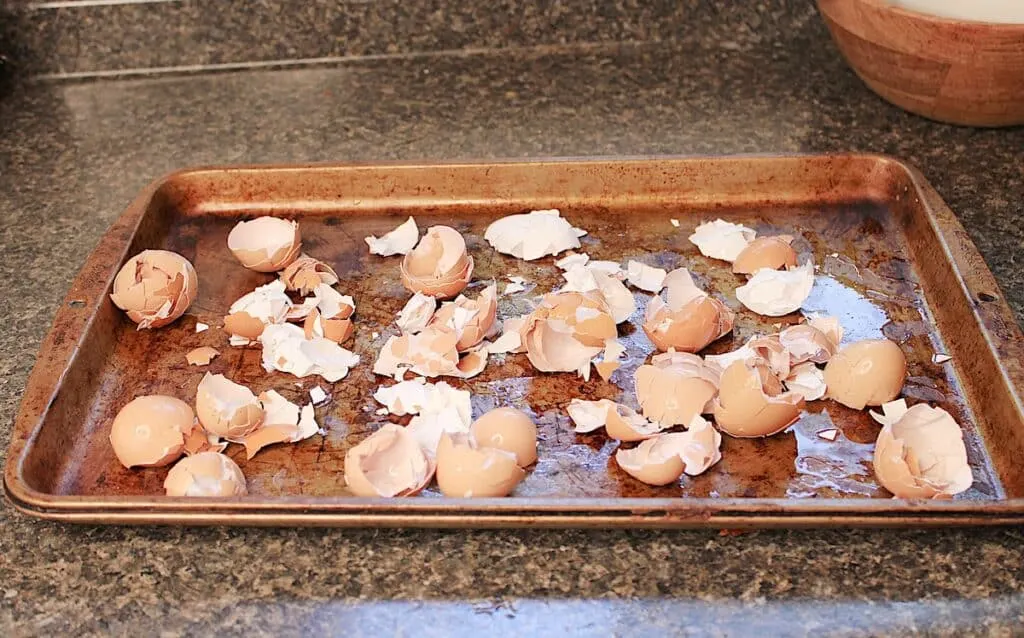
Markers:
point(72, 155)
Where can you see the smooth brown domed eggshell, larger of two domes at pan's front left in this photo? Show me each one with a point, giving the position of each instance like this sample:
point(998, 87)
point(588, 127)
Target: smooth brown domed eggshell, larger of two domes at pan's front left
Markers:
point(151, 431)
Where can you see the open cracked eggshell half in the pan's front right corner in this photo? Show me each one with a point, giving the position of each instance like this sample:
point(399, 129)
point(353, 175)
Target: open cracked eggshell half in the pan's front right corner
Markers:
point(920, 453)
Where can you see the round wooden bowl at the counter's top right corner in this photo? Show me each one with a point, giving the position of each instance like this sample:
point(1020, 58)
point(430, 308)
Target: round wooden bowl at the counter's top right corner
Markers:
point(948, 70)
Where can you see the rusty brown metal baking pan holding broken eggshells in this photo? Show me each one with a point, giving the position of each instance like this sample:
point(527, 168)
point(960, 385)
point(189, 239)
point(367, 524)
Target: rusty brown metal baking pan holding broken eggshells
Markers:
point(893, 261)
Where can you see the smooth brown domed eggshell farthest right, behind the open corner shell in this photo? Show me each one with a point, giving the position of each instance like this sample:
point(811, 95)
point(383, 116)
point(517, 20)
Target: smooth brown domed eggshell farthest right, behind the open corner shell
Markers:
point(867, 373)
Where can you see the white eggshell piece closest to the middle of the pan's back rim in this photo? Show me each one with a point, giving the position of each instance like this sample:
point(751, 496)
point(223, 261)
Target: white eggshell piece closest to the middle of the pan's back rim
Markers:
point(534, 235)
